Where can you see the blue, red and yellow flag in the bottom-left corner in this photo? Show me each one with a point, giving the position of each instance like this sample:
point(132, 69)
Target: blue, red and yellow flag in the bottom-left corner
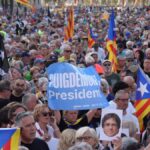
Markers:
point(9, 138)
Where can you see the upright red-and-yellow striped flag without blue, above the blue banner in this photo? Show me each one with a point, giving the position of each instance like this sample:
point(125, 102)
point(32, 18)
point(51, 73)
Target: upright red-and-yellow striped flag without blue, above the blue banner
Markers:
point(69, 28)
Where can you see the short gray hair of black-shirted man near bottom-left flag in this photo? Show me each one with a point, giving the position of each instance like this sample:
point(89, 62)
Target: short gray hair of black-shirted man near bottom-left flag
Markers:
point(20, 116)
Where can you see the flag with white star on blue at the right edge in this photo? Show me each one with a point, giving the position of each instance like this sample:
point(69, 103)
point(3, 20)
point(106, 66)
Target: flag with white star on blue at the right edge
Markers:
point(142, 104)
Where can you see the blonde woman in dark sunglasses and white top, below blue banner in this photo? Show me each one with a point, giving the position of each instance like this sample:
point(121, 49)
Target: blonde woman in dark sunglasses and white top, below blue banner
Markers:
point(43, 117)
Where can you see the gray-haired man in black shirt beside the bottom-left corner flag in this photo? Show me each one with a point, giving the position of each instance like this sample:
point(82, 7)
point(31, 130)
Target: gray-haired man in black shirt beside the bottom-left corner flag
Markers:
point(26, 123)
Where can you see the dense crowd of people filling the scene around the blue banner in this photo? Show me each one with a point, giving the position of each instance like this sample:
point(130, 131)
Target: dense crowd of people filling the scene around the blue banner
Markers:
point(35, 40)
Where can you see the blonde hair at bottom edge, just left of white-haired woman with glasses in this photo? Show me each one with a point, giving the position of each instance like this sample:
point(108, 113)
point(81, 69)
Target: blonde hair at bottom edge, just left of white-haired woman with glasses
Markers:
point(67, 139)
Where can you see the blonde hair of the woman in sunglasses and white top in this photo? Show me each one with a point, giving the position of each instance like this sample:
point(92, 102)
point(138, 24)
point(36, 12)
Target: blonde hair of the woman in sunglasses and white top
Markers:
point(38, 110)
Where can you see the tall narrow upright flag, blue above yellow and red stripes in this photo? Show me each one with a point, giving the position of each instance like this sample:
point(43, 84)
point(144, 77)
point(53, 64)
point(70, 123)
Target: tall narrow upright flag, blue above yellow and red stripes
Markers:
point(111, 42)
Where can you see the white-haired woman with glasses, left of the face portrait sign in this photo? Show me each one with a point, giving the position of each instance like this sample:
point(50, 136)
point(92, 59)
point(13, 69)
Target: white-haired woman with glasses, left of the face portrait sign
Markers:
point(89, 136)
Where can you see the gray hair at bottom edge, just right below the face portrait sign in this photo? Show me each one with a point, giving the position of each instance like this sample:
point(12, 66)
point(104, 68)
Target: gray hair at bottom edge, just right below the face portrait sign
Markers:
point(126, 141)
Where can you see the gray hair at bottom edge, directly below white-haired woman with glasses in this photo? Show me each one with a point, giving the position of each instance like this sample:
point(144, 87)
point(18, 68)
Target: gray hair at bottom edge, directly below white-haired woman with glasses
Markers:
point(81, 146)
